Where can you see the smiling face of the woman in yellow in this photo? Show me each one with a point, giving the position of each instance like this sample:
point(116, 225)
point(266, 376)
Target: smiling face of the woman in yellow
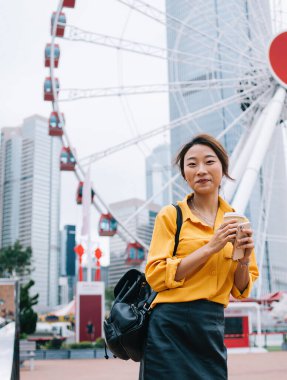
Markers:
point(202, 169)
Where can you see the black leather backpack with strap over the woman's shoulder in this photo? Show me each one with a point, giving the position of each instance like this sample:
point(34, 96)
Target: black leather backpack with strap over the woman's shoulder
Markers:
point(126, 327)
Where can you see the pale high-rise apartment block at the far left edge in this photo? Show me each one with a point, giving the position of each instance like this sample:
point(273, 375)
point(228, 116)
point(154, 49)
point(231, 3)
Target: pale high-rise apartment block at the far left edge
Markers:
point(30, 200)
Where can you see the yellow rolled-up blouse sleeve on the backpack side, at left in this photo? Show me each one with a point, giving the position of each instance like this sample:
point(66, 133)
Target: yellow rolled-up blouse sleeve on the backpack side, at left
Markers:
point(161, 265)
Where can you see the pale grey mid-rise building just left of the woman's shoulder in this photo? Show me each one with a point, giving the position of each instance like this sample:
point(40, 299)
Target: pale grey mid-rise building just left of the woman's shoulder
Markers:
point(141, 225)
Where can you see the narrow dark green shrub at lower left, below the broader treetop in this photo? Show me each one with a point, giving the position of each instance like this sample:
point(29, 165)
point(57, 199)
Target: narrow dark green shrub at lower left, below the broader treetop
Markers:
point(28, 318)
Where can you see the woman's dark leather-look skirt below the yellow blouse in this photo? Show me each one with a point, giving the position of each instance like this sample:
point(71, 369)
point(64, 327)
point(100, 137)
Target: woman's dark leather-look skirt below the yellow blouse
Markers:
point(185, 341)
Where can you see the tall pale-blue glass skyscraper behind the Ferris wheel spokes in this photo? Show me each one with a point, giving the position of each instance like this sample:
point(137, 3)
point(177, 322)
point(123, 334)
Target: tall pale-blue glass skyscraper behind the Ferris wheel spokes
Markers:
point(207, 29)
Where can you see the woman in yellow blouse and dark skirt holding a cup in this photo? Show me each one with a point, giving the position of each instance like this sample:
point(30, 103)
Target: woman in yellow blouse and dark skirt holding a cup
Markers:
point(185, 338)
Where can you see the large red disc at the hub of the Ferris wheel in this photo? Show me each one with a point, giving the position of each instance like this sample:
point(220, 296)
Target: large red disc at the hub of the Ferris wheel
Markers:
point(278, 58)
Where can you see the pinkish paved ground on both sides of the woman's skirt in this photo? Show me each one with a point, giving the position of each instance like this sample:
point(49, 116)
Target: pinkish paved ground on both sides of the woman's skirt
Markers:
point(263, 366)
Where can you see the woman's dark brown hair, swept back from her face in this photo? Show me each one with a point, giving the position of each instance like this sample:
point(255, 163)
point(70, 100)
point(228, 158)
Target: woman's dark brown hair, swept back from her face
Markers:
point(211, 142)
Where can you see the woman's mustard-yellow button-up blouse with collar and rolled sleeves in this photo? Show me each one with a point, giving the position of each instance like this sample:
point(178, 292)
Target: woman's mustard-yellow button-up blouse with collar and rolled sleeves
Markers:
point(213, 281)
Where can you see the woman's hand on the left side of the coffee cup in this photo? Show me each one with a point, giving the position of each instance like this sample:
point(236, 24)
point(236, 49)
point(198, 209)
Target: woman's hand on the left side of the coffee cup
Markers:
point(225, 233)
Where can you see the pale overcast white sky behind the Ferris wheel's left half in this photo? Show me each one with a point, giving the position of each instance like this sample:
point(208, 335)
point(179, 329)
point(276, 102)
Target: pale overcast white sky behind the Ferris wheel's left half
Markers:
point(92, 124)
